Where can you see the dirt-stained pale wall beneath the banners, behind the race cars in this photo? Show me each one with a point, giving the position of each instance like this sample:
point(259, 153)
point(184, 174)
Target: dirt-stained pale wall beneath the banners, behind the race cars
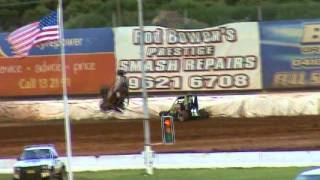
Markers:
point(233, 106)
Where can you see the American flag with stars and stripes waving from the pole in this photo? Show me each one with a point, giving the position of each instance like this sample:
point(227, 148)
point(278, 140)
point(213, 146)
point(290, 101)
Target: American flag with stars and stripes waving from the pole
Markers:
point(24, 38)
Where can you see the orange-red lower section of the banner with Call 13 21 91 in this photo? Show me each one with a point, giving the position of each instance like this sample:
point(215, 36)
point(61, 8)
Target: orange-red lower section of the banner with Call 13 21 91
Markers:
point(41, 75)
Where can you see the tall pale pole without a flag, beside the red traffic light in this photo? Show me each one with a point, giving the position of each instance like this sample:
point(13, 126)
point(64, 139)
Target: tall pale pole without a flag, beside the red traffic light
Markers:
point(148, 153)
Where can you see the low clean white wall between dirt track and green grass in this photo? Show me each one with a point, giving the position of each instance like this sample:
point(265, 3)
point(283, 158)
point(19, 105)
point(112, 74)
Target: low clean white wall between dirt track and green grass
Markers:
point(189, 160)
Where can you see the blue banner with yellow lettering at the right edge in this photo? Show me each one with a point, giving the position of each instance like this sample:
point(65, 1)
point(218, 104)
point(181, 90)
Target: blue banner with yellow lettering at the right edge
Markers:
point(291, 54)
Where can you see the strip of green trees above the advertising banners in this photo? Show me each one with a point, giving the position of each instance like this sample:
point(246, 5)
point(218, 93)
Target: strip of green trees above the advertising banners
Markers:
point(194, 13)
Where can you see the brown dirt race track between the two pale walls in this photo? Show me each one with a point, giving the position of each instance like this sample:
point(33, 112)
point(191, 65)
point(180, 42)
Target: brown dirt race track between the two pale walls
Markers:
point(92, 137)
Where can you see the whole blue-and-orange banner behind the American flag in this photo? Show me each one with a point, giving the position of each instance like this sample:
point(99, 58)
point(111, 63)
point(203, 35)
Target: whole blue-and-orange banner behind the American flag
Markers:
point(90, 65)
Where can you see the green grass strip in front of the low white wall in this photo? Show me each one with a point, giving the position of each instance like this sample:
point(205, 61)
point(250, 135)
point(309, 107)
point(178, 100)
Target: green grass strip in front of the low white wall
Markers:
point(191, 174)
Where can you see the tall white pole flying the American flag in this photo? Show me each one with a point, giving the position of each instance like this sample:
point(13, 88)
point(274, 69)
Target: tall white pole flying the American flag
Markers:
point(65, 94)
